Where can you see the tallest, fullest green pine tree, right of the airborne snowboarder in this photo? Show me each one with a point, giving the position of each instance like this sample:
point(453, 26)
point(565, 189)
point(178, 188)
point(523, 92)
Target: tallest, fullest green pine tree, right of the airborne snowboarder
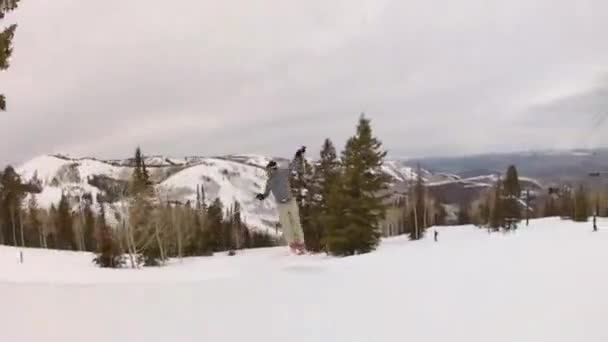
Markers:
point(362, 187)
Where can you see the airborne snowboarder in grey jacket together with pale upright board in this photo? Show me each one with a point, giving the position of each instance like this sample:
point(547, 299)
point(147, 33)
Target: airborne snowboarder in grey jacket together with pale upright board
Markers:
point(289, 215)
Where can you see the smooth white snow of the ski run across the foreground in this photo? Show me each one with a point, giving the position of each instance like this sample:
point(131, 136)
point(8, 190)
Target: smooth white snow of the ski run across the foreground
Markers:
point(543, 283)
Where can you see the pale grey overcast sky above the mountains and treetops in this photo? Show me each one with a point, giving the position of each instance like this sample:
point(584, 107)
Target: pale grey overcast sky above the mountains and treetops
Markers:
point(187, 77)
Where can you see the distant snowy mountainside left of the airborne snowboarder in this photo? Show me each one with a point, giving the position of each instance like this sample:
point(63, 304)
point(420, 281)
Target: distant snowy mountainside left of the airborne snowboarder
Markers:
point(231, 178)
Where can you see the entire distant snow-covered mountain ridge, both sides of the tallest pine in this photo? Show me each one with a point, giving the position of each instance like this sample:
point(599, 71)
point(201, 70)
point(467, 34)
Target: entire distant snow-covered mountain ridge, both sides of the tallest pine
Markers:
point(232, 178)
